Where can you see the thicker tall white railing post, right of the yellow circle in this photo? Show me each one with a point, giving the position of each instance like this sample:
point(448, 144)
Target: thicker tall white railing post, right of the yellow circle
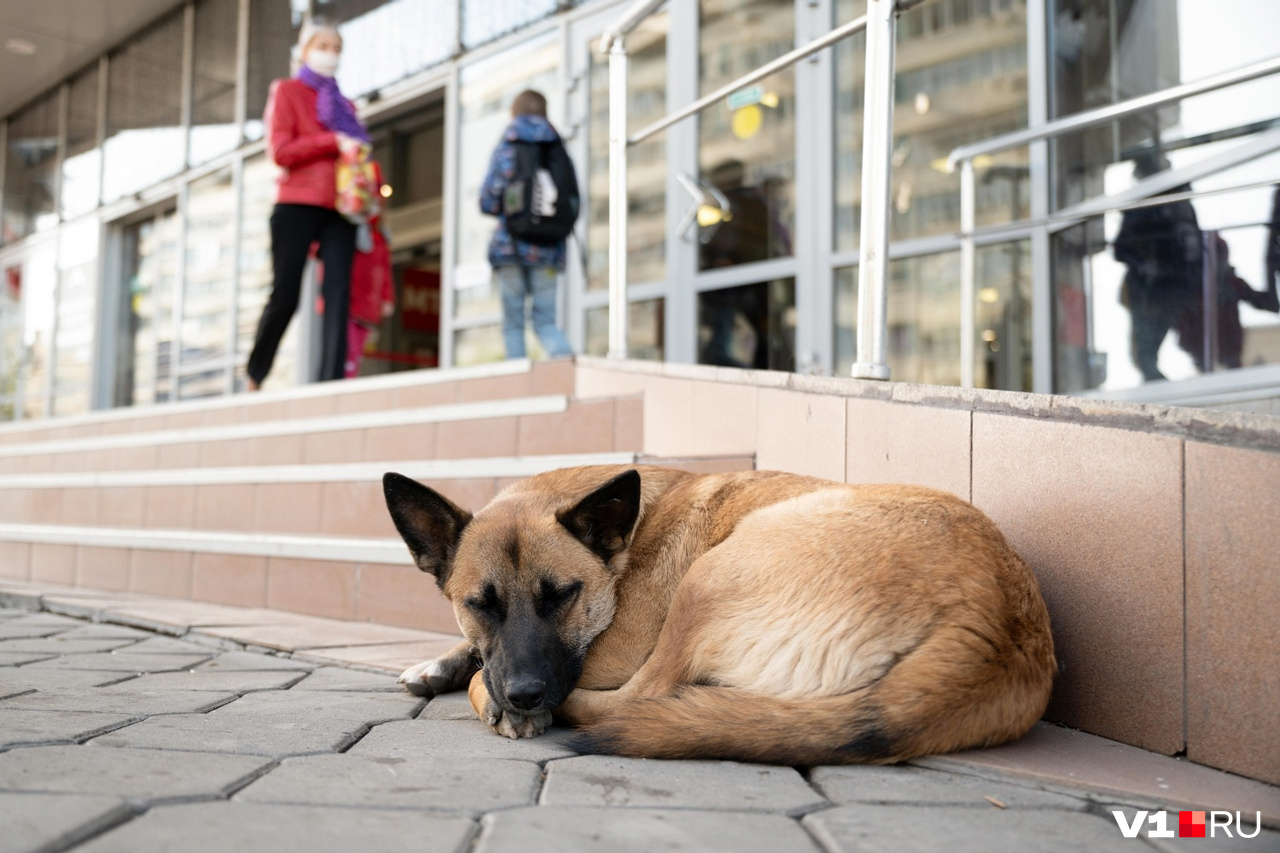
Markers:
point(877, 152)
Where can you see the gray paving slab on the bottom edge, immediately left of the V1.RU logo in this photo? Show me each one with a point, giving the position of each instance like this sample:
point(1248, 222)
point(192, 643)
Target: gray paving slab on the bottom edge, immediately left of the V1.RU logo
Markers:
point(915, 829)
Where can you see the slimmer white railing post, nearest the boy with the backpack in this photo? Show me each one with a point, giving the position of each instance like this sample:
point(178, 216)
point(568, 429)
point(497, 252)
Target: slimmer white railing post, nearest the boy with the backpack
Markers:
point(619, 199)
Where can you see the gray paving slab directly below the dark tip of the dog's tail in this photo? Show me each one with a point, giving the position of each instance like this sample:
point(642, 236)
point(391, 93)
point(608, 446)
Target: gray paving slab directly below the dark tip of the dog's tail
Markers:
point(612, 781)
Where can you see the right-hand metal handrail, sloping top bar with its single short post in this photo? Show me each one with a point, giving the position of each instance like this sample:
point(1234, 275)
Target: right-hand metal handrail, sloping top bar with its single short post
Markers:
point(964, 157)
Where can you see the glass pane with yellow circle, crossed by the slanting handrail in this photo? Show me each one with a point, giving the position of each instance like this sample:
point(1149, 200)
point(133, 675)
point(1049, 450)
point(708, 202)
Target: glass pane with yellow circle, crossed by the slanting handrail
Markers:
point(747, 145)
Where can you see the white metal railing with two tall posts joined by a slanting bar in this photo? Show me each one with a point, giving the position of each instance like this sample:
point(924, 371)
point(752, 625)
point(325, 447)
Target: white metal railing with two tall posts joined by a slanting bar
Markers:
point(880, 25)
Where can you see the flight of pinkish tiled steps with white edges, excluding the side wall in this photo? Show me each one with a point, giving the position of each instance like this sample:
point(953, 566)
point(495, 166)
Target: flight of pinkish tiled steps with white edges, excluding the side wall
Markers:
point(276, 500)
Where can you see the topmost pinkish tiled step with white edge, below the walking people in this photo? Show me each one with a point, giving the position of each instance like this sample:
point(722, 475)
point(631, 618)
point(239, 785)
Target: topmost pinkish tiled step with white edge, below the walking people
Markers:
point(500, 381)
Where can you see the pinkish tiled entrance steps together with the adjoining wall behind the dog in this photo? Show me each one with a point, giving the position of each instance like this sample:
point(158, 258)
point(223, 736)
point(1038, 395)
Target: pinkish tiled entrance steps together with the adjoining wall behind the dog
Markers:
point(1150, 528)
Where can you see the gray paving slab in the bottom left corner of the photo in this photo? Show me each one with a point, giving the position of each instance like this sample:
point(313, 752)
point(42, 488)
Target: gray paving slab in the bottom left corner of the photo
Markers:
point(35, 823)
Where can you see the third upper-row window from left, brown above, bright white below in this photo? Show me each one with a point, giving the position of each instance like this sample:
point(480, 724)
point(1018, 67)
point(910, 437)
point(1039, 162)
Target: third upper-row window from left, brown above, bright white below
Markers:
point(145, 140)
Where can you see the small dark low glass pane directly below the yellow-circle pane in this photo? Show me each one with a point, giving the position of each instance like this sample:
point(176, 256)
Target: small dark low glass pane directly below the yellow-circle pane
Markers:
point(753, 326)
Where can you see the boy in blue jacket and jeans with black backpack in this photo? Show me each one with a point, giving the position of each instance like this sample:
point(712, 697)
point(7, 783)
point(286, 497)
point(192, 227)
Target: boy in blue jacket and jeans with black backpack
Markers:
point(533, 190)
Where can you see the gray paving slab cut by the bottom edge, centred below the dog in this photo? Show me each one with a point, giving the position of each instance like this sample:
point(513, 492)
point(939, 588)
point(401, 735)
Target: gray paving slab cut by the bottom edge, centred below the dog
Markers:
point(556, 829)
